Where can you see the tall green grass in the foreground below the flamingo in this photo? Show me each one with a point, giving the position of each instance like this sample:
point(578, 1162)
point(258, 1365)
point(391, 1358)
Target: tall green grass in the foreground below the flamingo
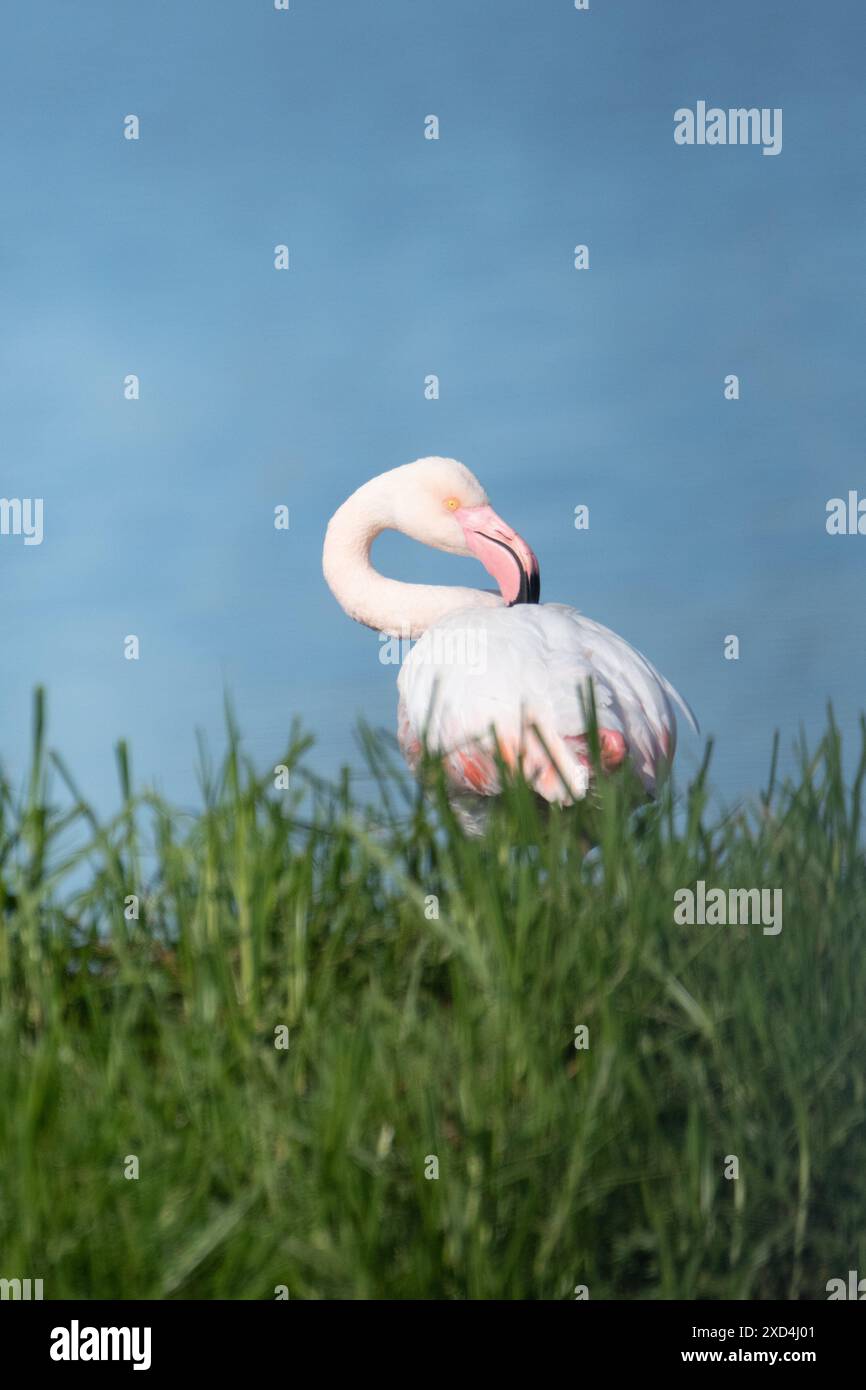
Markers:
point(415, 1036)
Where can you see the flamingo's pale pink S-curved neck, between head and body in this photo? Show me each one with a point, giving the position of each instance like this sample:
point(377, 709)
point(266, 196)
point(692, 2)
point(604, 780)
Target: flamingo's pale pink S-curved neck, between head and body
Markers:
point(369, 597)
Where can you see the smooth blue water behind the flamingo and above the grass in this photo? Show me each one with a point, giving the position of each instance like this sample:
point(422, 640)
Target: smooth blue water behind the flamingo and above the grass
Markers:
point(414, 258)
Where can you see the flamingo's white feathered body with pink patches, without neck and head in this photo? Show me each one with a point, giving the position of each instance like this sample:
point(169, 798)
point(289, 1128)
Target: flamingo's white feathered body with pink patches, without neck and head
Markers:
point(512, 679)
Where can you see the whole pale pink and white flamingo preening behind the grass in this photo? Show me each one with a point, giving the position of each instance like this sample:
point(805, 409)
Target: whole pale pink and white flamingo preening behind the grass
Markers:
point(494, 679)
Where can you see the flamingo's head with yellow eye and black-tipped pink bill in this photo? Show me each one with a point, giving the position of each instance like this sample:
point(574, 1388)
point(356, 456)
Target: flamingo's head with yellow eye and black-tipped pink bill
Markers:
point(447, 508)
